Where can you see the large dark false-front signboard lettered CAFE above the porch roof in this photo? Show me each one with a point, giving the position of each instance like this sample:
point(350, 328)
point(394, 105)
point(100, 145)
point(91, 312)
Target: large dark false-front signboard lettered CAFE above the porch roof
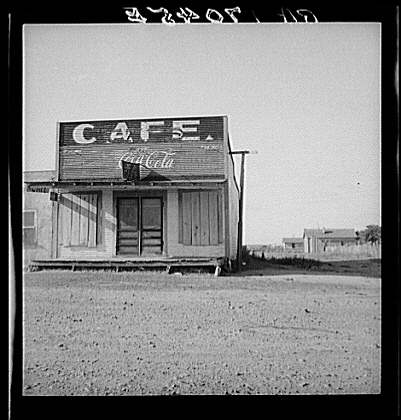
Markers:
point(169, 148)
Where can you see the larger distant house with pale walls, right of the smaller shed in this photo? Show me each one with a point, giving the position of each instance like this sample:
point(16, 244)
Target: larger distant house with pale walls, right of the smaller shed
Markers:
point(320, 240)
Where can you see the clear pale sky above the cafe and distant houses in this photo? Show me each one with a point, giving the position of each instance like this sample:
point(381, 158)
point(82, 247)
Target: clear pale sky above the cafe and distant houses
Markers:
point(306, 97)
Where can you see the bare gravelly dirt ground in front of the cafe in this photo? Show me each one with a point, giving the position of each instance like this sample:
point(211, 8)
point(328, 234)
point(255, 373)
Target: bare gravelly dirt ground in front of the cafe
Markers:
point(150, 333)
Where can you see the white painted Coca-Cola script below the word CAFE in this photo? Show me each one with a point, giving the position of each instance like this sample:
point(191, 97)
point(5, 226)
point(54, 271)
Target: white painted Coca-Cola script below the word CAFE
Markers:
point(151, 159)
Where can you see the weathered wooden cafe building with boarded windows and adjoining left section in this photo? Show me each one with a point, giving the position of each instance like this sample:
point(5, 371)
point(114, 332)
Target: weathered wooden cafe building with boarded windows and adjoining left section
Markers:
point(157, 192)
